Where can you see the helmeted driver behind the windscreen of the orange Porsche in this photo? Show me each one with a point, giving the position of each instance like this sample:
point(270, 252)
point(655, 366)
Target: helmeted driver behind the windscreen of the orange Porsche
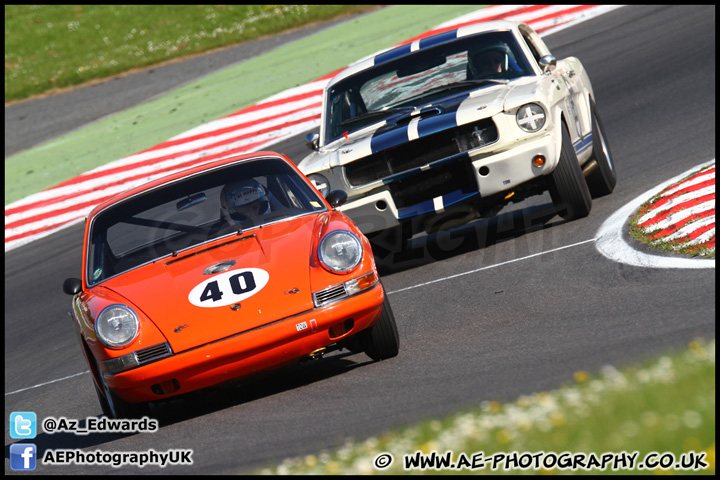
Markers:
point(242, 200)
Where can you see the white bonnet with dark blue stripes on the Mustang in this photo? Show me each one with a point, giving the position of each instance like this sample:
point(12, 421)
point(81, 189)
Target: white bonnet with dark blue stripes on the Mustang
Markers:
point(444, 114)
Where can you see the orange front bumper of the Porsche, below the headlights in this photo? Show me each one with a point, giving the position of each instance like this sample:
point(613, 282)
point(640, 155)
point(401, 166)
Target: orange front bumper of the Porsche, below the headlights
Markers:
point(246, 353)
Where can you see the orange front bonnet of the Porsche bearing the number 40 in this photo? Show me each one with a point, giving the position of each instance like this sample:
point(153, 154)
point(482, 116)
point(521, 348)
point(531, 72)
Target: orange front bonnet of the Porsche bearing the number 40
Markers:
point(192, 306)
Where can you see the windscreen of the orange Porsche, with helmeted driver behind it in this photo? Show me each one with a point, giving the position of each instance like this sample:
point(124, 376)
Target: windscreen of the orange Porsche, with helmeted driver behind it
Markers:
point(193, 210)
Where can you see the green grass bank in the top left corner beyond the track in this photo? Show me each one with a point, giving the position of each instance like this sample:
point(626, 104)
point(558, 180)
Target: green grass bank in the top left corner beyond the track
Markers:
point(50, 47)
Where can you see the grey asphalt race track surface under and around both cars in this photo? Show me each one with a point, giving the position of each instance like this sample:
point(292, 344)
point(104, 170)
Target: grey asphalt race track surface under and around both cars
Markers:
point(541, 304)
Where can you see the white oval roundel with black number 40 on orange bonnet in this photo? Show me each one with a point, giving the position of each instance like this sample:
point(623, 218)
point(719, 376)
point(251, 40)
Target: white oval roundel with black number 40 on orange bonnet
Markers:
point(229, 287)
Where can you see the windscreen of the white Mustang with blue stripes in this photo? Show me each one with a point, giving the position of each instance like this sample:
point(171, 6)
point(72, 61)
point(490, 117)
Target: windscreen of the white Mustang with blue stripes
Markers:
point(395, 88)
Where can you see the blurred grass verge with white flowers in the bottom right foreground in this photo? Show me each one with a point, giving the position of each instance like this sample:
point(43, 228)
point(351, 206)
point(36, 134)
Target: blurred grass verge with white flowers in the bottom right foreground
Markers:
point(665, 405)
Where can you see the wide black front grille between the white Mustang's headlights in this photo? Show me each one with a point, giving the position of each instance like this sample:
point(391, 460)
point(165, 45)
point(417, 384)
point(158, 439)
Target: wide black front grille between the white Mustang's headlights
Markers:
point(421, 151)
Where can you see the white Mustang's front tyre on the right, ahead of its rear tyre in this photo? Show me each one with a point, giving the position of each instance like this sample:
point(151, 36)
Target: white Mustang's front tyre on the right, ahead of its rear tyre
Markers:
point(568, 189)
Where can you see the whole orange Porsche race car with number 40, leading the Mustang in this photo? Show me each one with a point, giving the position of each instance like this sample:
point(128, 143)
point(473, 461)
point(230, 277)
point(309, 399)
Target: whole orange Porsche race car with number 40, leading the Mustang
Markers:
point(217, 273)
